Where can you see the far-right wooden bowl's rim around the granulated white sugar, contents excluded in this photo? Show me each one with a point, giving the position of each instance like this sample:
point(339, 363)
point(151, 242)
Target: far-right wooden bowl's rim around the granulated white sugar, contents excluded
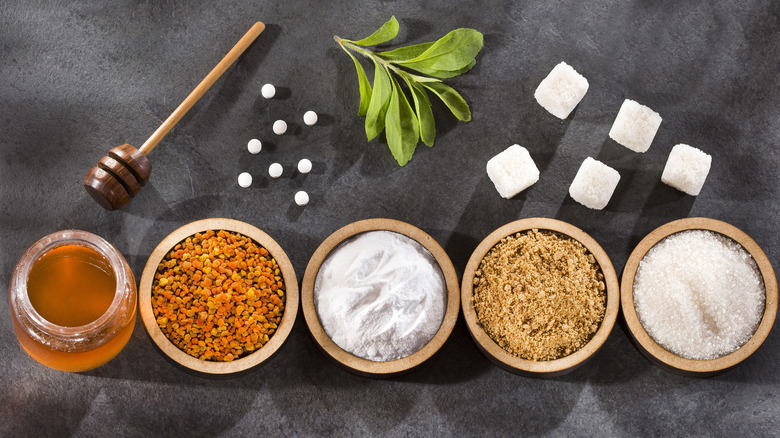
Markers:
point(671, 361)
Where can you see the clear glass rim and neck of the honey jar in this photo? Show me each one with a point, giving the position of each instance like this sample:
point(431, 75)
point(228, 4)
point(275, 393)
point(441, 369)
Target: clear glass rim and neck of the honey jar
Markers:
point(20, 298)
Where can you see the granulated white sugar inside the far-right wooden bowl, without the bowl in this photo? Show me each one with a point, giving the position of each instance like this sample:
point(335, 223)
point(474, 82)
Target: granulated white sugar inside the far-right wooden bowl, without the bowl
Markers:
point(699, 294)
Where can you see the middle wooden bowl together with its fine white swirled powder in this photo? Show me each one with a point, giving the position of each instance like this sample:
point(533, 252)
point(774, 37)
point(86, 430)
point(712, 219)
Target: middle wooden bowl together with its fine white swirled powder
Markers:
point(380, 297)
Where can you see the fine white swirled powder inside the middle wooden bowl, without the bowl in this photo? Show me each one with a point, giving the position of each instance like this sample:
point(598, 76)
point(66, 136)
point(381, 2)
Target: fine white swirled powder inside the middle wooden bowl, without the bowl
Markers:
point(380, 296)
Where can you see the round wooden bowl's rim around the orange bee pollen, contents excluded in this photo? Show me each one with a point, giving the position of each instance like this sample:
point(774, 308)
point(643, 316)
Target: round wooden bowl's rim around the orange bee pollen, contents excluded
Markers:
point(212, 367)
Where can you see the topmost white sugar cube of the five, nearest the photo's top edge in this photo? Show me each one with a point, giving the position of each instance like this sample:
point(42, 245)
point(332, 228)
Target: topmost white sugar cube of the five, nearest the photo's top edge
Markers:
point(561, 90)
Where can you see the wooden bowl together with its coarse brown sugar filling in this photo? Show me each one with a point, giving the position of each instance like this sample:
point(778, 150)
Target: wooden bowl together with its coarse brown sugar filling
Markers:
point(539, 296)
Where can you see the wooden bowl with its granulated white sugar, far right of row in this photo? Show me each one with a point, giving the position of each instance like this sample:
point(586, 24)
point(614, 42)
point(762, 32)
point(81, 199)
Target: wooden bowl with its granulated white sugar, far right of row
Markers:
point(699, 296)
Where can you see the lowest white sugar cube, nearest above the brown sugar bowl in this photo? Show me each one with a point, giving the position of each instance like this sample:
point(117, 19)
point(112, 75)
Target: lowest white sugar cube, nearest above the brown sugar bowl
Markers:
point(594, 184)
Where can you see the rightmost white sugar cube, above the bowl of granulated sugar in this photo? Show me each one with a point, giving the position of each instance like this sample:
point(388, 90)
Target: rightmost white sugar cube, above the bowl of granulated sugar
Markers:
point(686, 169)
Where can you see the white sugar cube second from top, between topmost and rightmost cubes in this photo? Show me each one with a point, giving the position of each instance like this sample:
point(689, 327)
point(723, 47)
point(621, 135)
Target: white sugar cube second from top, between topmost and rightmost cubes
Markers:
point(635, 126)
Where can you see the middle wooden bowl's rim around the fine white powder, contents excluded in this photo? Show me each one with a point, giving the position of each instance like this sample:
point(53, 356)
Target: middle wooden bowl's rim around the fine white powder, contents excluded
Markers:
point(354, 363)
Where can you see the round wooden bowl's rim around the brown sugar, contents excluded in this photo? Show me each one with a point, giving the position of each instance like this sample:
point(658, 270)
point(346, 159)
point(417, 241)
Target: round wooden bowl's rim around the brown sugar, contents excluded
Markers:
point(532, 368)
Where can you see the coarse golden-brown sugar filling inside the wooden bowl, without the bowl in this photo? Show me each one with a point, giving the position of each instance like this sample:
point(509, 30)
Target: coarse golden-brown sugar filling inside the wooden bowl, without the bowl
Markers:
point(539, 295)
